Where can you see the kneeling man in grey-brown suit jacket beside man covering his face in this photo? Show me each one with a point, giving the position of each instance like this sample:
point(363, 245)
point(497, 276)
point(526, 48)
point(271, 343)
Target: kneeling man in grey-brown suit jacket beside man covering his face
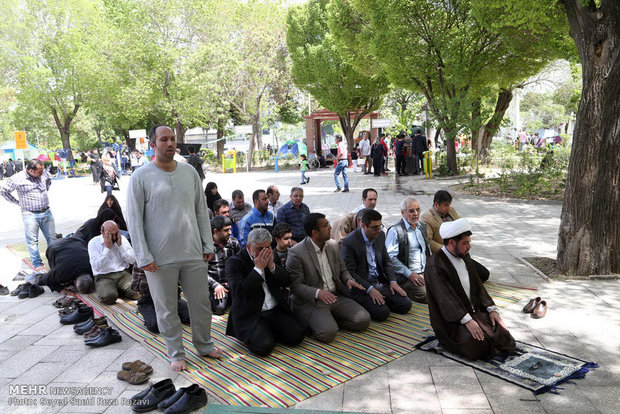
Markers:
point(321, 282)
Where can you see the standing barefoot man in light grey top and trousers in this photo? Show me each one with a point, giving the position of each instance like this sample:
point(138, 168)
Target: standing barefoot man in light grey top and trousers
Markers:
point(171, 236)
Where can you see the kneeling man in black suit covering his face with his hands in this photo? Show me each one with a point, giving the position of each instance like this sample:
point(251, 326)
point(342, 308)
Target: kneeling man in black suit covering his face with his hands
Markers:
point(260, 316)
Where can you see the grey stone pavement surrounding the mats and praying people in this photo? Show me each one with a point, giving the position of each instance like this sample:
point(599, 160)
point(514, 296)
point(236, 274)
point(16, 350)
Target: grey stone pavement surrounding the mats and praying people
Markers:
point(582, 319)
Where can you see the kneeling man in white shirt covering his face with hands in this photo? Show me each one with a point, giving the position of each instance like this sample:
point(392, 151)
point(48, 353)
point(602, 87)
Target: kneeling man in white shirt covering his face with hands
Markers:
point(110, 256)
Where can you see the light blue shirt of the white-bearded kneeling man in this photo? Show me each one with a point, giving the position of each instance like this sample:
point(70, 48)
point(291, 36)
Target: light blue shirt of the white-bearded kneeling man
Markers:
point(417, 256)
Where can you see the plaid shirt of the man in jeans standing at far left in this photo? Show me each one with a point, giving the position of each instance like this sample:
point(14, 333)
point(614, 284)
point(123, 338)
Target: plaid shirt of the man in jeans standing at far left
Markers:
point(32, 191)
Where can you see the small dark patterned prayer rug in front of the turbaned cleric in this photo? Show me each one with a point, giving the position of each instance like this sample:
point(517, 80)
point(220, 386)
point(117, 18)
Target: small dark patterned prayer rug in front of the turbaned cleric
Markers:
point(534, 368)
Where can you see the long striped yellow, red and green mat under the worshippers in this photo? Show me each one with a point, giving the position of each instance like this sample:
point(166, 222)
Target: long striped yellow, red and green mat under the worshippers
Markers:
point(292, 374)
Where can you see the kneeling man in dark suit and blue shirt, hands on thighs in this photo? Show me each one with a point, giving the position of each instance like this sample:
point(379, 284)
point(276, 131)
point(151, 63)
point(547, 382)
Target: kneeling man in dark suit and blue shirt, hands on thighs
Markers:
point(367, 260)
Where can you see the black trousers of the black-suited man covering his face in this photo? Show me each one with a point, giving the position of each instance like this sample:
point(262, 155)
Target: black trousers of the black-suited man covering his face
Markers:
point(275, 325)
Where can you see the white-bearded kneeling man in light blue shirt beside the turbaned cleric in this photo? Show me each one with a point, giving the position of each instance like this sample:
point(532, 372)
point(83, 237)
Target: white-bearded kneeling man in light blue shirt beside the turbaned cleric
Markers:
point(408, 249)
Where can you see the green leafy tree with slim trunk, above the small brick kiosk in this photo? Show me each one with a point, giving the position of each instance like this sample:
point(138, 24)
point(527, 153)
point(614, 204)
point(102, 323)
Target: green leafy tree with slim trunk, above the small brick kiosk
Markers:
point(320, 68)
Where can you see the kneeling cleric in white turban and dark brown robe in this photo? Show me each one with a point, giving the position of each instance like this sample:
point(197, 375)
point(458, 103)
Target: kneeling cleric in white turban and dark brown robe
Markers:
point(463, 315)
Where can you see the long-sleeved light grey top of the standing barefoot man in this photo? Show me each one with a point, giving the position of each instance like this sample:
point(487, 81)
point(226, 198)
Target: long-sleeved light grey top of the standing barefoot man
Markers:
point(167, 215)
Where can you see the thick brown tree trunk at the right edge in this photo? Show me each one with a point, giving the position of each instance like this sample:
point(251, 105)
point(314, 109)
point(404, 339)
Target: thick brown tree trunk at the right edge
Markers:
point(589, 236)
